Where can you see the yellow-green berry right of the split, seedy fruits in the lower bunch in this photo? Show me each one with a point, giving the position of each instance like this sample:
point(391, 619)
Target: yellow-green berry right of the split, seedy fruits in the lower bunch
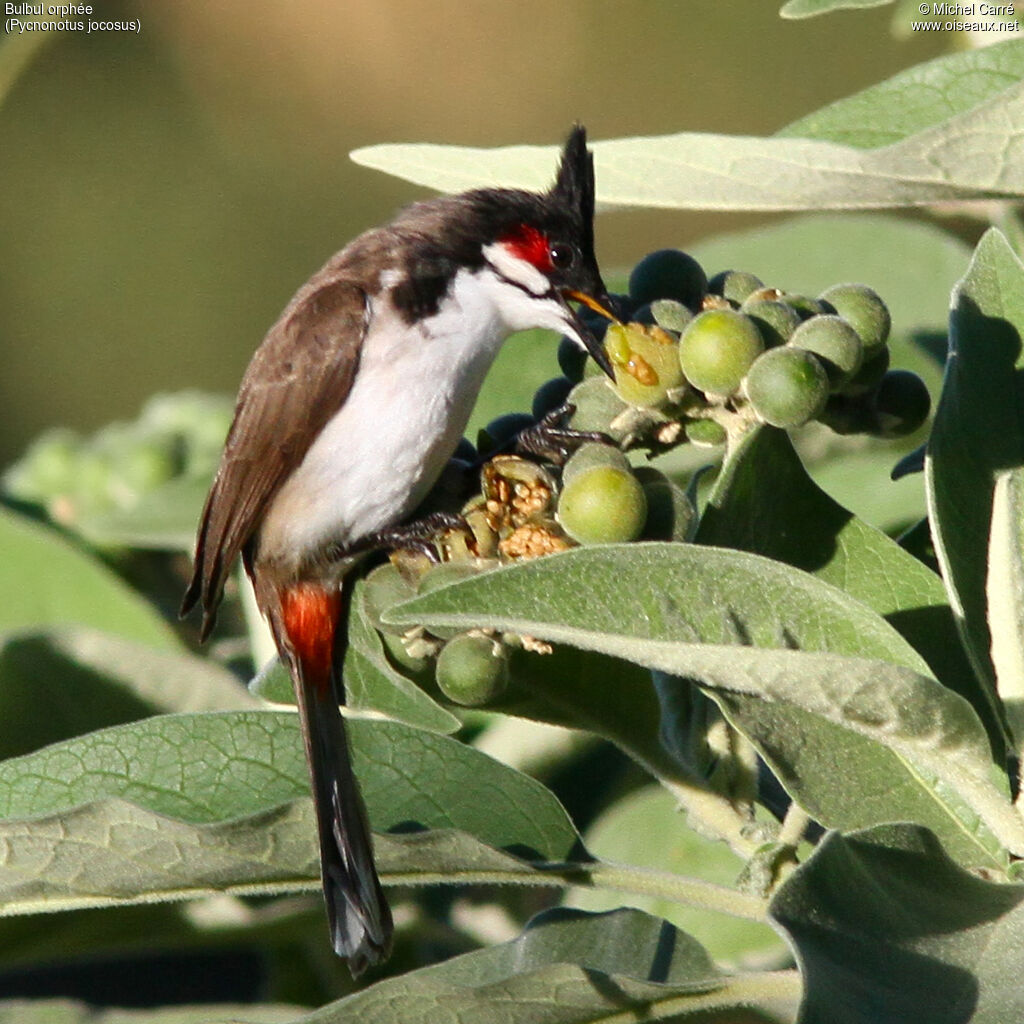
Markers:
point(603, 505)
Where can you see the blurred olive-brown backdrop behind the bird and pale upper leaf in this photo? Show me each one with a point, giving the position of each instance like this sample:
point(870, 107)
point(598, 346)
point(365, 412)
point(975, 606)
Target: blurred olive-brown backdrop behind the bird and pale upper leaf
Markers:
point(165, 194)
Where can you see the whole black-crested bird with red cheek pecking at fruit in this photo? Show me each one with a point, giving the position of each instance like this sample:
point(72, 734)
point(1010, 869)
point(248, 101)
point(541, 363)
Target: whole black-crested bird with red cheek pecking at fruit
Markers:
point(346, 418)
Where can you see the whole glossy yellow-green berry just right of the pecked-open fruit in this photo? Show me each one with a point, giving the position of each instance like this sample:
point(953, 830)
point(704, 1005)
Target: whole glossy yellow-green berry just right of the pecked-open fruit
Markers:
point(718, 349)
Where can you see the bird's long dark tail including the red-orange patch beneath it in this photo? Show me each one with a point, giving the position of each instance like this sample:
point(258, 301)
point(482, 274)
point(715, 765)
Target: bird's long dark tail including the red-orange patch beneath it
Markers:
point(315, 621)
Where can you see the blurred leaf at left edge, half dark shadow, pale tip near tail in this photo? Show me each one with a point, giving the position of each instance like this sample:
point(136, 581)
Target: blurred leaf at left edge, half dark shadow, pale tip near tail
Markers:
point(61, 684)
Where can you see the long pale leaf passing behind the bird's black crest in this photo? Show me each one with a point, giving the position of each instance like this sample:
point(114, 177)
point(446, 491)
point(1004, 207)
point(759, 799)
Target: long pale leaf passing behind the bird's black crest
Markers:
point(967, 156)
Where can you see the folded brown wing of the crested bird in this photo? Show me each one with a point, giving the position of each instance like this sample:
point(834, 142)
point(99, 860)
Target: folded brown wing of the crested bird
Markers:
point(297, 380)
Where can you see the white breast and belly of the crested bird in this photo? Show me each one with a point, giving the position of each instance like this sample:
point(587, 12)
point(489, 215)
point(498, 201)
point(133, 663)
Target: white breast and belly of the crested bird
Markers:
point(378, 457)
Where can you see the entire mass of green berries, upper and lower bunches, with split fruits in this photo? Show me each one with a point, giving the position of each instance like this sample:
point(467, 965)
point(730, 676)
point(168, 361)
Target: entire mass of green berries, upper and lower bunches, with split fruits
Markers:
point(696, 361)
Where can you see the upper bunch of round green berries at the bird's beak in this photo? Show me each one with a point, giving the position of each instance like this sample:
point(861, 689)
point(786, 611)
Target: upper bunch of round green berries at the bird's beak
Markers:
point(698, 360)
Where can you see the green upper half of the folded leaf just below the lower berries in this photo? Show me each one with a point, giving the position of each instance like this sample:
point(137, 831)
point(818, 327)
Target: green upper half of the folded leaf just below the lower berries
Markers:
point(664, 592)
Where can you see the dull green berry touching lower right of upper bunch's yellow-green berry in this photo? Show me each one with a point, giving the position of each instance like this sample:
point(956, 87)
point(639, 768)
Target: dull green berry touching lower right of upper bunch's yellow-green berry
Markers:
point(787, 387)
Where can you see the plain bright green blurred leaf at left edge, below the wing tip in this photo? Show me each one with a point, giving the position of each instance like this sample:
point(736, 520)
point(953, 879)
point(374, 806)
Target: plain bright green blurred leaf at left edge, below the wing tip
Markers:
point(47, 581)
